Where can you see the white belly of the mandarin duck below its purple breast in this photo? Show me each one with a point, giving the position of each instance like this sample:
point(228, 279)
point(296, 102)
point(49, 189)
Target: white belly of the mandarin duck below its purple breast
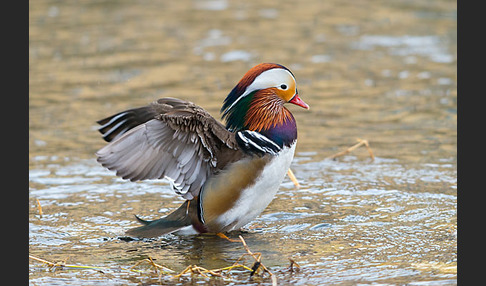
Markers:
point(258, 196)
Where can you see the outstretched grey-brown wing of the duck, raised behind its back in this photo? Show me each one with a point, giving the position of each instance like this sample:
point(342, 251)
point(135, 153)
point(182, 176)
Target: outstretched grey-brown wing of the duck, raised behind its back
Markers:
point(170, 138)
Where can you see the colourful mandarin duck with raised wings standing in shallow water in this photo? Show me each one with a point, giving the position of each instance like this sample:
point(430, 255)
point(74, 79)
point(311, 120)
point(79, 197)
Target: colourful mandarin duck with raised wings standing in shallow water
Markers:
point(227, 174)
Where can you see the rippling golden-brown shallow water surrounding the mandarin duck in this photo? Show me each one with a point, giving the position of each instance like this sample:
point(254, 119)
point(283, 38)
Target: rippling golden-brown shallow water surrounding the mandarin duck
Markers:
point(381, 71)
